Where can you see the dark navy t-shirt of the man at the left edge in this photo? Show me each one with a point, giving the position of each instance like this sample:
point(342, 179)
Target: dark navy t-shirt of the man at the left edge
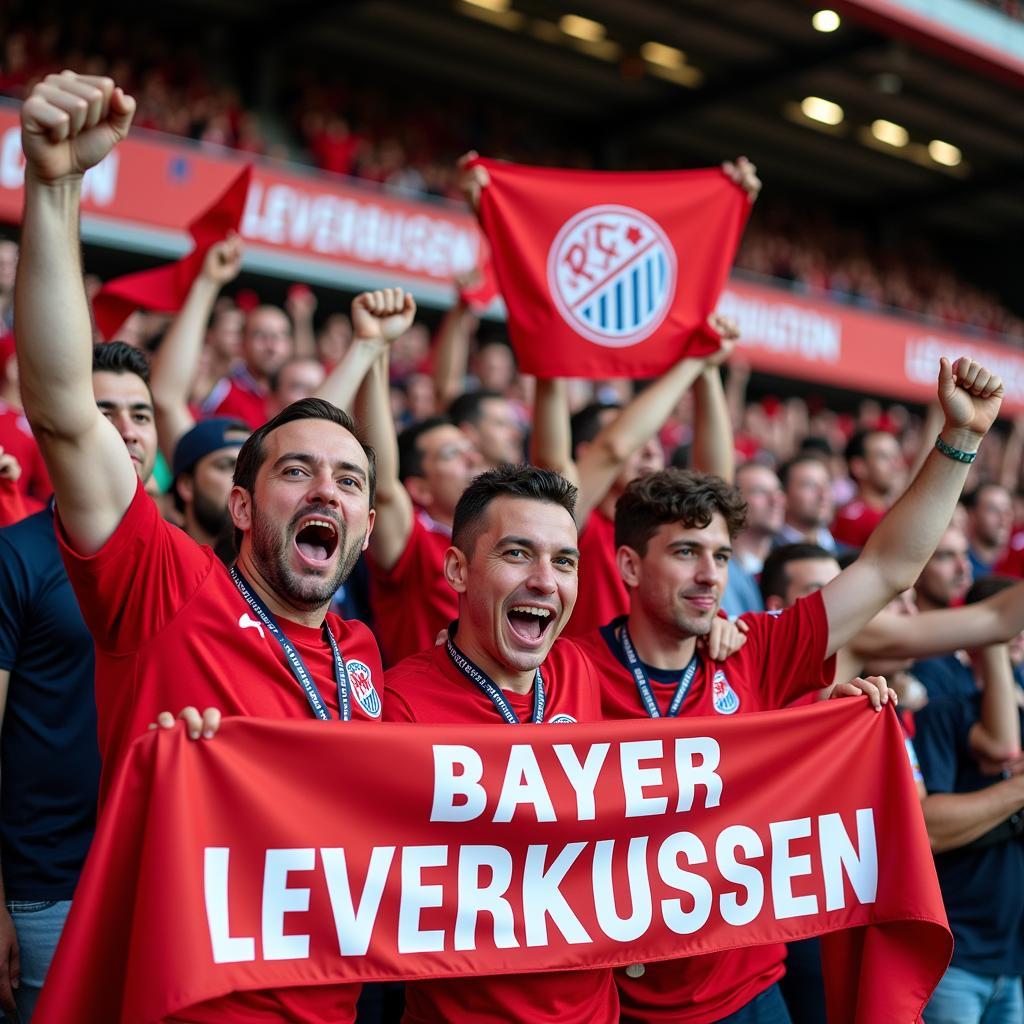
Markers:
point(50, 758)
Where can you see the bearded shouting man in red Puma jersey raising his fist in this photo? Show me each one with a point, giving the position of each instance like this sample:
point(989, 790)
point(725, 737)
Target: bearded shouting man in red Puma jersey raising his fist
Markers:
point(172, 625)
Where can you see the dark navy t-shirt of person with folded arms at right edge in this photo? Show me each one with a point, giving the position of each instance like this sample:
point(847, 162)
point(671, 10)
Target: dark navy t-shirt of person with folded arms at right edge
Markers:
point(984, 890)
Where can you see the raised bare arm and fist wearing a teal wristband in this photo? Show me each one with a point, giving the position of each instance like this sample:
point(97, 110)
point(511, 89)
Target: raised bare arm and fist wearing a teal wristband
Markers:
point(905, 540)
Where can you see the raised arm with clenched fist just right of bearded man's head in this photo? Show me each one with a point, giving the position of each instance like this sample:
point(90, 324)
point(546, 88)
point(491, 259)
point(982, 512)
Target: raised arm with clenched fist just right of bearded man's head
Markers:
point(379, 318)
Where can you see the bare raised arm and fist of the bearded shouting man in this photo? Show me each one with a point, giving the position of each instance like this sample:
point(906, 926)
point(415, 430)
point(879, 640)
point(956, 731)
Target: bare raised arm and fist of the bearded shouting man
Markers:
point(69, 123)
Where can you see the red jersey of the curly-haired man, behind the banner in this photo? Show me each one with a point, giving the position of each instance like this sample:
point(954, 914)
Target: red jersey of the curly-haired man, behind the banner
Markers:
point(784, 659)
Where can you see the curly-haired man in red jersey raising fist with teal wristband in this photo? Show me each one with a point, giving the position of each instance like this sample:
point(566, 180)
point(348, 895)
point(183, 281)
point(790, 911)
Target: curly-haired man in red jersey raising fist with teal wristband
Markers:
point(674, 533)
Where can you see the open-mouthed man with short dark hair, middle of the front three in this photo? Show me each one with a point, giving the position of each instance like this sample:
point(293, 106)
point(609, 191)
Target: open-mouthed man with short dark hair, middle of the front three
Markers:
point(514, 565)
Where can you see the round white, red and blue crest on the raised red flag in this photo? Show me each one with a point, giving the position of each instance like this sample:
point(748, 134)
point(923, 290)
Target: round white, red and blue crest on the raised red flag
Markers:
point(612, 274)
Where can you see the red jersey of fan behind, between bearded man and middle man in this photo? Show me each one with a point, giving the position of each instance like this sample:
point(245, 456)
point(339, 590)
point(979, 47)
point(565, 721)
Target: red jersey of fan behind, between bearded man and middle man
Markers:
point(413, 603)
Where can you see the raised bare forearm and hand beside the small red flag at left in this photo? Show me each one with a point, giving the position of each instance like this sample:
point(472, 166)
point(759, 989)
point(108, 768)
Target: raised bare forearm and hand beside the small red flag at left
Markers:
point(176, 364)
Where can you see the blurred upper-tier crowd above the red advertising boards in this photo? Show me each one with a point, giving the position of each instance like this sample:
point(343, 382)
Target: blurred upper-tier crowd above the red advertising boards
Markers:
point(411, 146)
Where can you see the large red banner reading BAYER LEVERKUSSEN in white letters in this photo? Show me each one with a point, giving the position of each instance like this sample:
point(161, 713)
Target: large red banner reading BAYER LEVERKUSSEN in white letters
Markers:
point(229, 866)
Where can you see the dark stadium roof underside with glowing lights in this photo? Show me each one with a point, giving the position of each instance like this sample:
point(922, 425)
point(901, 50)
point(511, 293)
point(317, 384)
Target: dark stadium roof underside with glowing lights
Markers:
point(724, 78)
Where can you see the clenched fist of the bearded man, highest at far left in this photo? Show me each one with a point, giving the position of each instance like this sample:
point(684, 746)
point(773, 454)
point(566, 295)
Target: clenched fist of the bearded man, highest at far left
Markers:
point(70, 122)
